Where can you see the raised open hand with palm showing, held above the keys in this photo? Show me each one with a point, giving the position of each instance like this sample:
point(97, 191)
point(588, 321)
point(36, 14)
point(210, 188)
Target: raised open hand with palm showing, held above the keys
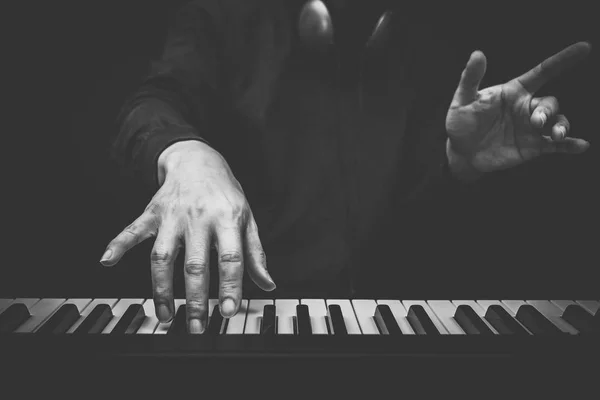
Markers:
point(503, 126)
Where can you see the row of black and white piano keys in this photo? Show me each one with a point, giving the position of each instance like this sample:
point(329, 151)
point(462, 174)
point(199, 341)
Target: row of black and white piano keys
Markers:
point(307, 317)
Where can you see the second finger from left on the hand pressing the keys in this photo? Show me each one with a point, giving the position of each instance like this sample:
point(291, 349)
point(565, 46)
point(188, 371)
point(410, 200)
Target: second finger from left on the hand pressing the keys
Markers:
point(162, 258)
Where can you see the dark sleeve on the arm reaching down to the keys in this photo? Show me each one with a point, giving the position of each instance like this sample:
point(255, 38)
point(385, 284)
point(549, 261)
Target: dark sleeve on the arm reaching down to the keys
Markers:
point(173, 102)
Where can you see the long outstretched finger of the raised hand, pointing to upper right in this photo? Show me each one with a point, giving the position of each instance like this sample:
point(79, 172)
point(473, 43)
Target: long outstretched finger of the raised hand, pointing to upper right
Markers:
point(538, 76)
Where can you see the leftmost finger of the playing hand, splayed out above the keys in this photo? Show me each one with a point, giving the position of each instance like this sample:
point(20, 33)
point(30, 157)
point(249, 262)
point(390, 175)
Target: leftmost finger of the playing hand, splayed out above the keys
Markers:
point(140, 230)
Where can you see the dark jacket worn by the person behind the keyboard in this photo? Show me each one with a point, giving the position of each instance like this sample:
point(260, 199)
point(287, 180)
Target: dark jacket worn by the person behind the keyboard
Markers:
point(341, 153)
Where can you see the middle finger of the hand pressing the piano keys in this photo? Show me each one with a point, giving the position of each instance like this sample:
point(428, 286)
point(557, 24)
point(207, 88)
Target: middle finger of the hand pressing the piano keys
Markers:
point(197, 276)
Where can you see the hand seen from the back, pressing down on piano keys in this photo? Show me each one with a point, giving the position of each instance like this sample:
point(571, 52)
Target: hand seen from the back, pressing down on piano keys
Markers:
point(199, 205)
